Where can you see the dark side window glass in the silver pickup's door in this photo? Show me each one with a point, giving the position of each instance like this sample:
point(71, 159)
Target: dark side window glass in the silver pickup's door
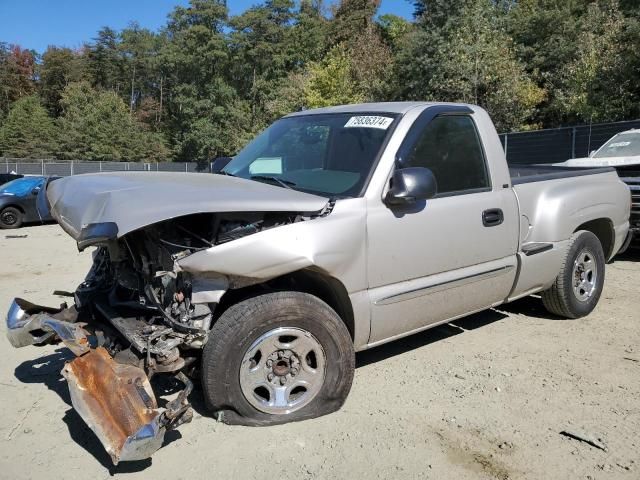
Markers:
point(449, 146)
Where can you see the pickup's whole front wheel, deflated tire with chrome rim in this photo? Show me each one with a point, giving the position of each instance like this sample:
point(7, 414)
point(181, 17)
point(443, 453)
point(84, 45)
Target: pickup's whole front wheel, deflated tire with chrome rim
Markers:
point(277, 358)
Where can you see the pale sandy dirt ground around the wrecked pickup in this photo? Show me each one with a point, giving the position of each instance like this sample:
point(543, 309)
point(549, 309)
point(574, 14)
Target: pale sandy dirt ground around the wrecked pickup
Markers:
point(485, 397)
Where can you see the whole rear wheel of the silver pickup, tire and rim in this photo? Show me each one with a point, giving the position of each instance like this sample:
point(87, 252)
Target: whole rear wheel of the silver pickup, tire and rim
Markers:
point(578, 286)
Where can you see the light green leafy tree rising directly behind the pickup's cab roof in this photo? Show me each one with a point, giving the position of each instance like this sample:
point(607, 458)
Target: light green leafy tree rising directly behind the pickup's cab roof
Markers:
point(470, 59)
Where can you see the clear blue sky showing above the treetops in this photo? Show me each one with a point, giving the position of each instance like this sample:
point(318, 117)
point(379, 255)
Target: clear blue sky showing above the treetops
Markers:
point(35, 24)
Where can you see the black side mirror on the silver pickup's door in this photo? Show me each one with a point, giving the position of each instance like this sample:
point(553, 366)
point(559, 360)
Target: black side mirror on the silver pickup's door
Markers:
point(411, 184)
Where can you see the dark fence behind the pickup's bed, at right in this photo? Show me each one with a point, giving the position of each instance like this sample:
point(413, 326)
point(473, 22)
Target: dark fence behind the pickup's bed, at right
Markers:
point(560, 144)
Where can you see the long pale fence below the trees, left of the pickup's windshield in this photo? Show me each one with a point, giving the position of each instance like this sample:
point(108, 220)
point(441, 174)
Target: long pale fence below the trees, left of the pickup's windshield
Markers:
point(75, 167)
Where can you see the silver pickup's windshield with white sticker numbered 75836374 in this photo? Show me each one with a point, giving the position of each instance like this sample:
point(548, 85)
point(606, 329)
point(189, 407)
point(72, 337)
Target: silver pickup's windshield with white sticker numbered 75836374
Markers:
point(330, 155)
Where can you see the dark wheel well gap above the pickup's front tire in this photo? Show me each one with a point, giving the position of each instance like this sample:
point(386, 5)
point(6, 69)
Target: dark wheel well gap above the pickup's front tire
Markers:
point(326, 288)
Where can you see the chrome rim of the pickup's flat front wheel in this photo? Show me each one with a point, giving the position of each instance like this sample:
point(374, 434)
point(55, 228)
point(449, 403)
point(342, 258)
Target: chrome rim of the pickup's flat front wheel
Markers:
point(283, 370)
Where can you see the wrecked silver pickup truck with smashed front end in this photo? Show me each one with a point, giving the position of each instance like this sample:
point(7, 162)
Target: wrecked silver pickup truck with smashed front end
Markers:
point(334, 231)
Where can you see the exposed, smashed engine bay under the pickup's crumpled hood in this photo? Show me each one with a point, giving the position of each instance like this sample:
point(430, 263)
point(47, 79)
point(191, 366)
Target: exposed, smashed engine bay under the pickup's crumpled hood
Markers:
point(148, 302)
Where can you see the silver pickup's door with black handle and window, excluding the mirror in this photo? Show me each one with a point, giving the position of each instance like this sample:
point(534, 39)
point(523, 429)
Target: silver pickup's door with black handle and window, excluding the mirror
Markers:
point(448, 256)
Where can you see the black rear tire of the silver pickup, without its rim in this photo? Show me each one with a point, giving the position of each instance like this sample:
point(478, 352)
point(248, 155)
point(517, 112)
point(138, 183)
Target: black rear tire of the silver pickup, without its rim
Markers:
point(561, 299)
